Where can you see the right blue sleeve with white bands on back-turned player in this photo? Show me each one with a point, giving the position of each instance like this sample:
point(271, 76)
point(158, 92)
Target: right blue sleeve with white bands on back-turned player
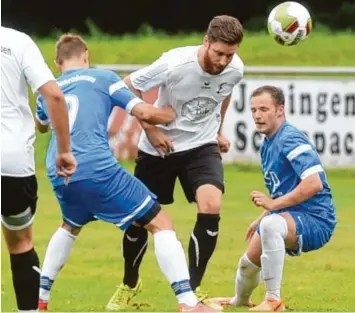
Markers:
point(120, 94)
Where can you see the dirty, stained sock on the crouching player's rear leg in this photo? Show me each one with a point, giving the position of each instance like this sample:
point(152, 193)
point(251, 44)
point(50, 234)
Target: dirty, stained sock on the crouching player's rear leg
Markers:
point(247, 279)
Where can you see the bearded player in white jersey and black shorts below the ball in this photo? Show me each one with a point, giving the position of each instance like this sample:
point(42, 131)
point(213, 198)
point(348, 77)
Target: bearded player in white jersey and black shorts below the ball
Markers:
point(197, 81)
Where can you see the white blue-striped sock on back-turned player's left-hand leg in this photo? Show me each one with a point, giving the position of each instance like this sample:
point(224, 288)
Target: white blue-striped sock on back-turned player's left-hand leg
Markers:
point(57, 254)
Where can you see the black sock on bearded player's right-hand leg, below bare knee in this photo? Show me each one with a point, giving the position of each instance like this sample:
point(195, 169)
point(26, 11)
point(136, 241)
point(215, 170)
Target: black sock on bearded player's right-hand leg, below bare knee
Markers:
point(202, 244)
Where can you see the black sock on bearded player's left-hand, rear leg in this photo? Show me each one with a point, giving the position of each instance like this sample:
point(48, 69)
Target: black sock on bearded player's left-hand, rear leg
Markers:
point(135, 242)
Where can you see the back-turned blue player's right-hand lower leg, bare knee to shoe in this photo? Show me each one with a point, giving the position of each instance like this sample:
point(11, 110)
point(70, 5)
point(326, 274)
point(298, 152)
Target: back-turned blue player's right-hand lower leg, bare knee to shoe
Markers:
point(171, 259)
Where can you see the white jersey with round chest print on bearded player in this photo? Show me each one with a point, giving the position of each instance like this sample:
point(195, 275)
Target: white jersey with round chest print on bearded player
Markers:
point(196, 96)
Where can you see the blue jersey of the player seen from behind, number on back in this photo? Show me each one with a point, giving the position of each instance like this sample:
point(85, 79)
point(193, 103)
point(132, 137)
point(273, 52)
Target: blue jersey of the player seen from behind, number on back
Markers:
point(91, 95)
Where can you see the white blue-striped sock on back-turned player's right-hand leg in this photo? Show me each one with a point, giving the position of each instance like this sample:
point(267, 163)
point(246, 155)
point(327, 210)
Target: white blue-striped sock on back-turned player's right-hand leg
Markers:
point(172, 262)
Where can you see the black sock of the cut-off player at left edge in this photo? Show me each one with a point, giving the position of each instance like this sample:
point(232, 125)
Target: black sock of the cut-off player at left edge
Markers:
point(25, 279)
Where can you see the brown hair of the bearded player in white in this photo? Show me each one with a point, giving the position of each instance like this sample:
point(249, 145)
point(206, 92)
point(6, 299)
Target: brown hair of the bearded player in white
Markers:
point(226, 29)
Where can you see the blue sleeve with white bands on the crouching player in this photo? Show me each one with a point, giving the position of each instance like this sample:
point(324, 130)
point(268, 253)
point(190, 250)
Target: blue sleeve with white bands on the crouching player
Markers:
point(302, 155)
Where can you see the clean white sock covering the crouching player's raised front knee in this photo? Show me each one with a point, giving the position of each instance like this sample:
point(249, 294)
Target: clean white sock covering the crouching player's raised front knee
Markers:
point(273, 232)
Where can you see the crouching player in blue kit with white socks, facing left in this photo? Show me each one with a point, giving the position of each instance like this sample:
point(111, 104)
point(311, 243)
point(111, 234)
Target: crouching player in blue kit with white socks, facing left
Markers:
point(299, 215)
